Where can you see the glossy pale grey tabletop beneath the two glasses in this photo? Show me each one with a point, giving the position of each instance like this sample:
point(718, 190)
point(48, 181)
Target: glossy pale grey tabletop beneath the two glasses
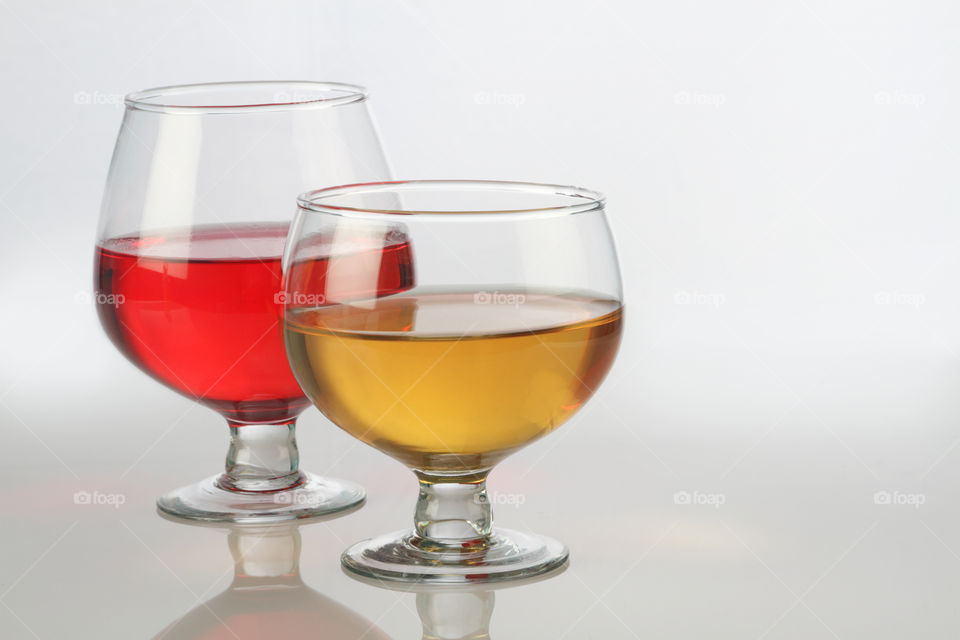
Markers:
point(689, 513)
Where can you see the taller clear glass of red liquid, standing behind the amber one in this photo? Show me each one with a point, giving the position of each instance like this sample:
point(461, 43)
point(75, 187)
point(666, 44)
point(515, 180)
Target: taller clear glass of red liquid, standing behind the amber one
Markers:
point(187, 271)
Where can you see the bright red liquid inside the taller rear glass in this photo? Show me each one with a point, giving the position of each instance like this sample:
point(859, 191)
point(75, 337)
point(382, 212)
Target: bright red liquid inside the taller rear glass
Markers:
point(201, 312)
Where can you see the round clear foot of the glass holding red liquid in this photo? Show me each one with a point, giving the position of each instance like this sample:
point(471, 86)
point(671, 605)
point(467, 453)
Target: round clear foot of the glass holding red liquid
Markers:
point(312, 496)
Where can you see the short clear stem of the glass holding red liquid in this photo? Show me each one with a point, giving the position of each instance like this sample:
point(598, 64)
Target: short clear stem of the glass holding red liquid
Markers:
point(262, 457)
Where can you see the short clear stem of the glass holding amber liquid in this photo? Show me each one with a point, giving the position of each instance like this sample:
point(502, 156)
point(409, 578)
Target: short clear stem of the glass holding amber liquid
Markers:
point(452, 511)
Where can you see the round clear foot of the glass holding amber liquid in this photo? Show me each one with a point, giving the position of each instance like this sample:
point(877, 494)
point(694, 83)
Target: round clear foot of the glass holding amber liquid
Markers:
point(403, 557)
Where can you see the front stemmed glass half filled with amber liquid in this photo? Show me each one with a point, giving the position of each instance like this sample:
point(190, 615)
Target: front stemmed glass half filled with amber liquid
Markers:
point(512, 322)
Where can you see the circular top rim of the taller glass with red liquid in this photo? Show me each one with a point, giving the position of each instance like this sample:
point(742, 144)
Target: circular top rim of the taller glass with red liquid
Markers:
point(164, 99)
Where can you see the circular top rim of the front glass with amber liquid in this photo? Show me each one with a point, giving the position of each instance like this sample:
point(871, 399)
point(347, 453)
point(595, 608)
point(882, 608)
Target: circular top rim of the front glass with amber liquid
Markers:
point(583, 199)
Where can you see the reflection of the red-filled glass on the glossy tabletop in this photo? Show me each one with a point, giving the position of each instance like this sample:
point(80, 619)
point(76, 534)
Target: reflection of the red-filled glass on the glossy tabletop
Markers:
point(268, 599)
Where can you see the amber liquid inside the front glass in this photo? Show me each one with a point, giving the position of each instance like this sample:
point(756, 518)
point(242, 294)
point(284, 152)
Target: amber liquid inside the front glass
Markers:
point(453, 382)
